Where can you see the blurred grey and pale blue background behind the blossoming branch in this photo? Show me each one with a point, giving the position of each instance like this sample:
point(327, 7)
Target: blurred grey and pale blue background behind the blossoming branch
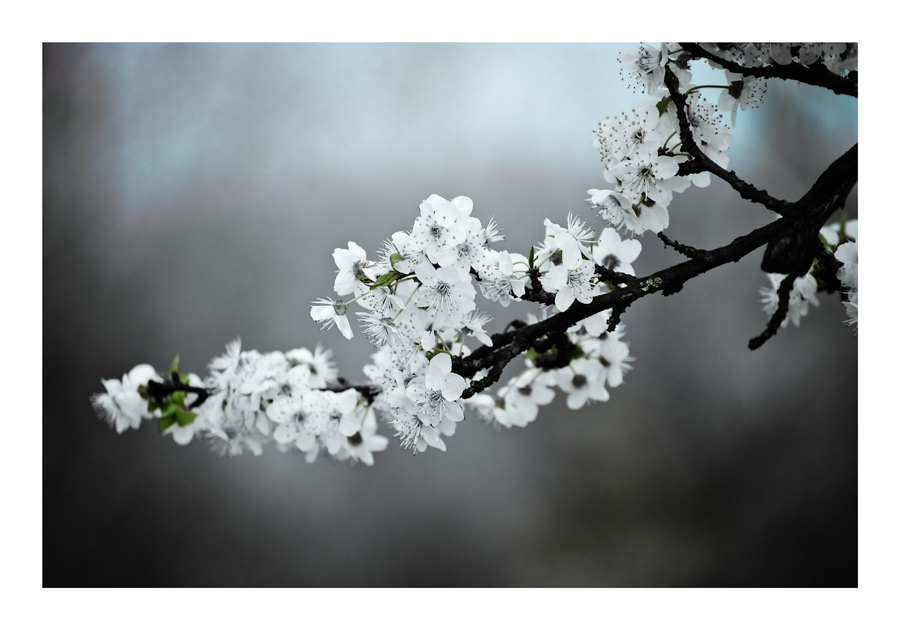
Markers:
point(194, 193)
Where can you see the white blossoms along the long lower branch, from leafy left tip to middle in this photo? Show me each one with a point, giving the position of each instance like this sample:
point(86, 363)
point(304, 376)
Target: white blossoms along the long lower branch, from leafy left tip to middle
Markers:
point(417, 304)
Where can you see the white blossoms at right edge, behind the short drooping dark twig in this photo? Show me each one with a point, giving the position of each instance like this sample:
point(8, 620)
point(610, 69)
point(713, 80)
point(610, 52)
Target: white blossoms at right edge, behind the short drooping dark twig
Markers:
point(840, 238)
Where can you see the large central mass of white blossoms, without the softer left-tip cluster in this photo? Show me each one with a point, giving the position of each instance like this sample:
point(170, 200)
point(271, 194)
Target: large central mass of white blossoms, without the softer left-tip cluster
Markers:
point(418, 303)
